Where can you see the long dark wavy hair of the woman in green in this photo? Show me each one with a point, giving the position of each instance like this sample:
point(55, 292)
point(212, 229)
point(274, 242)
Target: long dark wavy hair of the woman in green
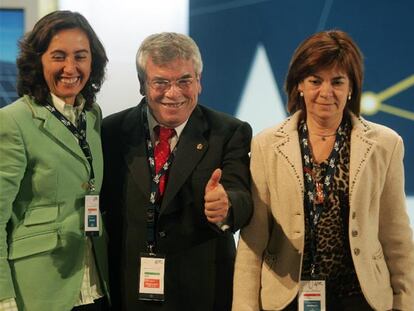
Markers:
point(30, 79)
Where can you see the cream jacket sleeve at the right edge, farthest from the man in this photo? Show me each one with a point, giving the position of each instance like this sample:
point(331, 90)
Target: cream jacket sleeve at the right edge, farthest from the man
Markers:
point(395, 233)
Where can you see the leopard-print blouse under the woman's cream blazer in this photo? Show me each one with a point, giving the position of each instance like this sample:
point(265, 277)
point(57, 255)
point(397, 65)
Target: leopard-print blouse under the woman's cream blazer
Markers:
point(327, 242)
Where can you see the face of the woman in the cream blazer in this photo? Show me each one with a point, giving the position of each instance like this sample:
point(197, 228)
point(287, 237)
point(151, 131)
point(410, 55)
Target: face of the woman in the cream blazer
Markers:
point(325, 94)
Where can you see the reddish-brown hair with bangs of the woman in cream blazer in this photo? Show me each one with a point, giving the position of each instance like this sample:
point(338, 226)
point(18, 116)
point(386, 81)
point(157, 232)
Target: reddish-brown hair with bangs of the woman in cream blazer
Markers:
point(324, 50)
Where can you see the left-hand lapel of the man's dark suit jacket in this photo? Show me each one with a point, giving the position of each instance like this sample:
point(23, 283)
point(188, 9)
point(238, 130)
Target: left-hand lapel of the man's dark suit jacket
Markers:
point(135, 149)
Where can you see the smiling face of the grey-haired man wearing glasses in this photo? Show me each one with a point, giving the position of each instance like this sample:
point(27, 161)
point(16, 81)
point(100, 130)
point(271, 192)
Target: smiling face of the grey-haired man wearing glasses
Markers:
point(172, 91)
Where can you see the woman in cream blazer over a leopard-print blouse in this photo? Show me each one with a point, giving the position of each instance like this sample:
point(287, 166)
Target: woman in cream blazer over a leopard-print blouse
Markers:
point(330, 226)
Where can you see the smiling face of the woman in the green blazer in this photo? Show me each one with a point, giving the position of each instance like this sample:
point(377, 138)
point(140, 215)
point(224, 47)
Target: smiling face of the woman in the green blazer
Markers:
point(67, 64)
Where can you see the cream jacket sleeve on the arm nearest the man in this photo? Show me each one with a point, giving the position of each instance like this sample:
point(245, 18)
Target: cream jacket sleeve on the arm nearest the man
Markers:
point(253, 240)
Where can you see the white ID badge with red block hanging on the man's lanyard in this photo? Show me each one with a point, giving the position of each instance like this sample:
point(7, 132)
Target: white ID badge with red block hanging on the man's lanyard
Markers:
point(151, 277)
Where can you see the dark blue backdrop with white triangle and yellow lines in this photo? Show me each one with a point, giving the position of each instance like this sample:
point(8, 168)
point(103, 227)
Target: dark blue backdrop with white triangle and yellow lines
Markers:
point(238, 37)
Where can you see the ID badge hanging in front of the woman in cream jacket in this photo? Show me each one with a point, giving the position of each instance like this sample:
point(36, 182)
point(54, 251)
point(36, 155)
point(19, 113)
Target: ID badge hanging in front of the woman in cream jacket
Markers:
point(312, 296)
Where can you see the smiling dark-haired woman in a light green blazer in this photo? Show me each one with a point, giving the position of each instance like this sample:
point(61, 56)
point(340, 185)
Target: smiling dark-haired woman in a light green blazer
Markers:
point(51, 164)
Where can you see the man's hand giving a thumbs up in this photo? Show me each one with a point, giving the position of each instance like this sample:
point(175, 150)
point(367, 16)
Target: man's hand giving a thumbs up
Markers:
point(216, 202)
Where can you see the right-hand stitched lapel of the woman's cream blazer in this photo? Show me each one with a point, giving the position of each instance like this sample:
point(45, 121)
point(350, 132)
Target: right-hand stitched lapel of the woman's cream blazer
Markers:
point(361, 149)
